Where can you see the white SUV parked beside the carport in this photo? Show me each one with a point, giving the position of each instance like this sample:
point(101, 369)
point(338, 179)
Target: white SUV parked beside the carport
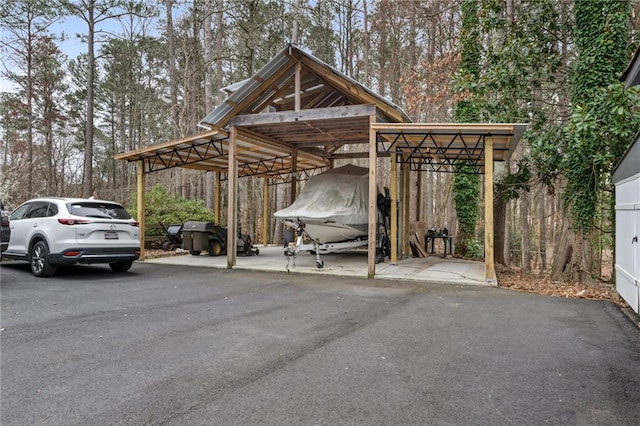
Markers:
point(48, 232)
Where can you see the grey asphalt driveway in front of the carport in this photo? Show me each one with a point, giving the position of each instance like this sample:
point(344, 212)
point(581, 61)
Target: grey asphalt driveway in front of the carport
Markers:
point(178, 345)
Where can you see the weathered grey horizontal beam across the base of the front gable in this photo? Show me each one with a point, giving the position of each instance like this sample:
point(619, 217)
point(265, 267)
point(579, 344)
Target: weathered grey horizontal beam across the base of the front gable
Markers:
point(342, 112)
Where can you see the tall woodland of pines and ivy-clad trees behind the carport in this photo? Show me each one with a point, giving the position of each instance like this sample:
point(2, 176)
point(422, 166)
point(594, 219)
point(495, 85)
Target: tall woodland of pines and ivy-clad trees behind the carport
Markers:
point(149, 71)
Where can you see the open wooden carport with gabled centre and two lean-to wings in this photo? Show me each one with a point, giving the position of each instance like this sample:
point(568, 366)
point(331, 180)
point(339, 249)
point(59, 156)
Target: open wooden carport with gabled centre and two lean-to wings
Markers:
point(297, 115)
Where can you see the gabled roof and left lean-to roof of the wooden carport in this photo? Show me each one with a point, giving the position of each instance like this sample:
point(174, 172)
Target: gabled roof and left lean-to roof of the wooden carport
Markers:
point(270, 132)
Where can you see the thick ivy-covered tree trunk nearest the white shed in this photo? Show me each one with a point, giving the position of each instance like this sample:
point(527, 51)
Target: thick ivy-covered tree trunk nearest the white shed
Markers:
point(595, 134)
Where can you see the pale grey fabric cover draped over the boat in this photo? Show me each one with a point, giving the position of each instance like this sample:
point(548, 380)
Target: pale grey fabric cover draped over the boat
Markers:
point(337, 196)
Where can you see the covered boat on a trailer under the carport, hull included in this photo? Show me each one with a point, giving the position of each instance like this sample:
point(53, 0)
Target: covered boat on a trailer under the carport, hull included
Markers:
point(332, 207)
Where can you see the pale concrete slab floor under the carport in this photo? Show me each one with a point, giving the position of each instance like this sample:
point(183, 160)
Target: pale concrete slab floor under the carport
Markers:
point(434, 269)
